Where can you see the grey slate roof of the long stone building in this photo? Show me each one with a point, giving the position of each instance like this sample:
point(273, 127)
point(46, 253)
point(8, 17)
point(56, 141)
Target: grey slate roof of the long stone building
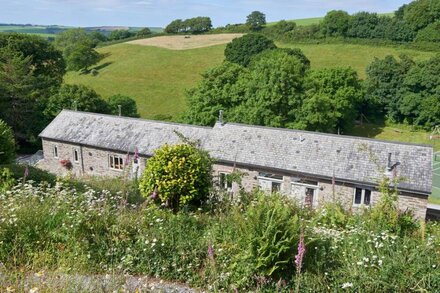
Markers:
point(351, 159)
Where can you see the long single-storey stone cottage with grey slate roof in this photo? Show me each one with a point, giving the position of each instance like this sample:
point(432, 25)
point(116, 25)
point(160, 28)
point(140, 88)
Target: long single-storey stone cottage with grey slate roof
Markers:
point(312, 167)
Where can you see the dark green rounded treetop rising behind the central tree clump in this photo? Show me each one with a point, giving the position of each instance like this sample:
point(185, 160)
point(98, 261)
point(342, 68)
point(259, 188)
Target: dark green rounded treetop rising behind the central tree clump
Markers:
point(241, 50)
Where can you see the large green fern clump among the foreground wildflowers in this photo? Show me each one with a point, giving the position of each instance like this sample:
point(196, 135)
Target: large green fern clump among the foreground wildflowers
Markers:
point(268, 242)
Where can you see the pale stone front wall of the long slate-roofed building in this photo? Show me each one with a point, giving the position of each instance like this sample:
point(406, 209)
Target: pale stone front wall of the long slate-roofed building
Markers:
point(95, 162)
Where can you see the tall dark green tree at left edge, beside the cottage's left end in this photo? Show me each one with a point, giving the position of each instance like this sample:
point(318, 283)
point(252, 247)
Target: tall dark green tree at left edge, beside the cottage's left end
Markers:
point(31, 69)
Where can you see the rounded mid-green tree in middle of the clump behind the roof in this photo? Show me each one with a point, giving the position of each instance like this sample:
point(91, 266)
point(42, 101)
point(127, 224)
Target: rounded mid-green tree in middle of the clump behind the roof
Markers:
point(273, 90)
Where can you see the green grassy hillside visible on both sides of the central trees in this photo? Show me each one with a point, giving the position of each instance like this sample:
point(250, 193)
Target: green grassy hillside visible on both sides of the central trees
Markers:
point(157, 77)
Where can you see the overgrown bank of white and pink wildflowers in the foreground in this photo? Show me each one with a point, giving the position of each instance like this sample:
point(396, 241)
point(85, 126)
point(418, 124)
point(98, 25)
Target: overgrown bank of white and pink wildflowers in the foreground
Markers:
point(256, 242)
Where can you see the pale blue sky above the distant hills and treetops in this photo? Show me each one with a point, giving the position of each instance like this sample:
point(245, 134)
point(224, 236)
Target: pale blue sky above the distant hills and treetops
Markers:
point(160, 12)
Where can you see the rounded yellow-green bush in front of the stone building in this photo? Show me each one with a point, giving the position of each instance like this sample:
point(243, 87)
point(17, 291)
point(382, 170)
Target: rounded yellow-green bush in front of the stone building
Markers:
point(177, 175)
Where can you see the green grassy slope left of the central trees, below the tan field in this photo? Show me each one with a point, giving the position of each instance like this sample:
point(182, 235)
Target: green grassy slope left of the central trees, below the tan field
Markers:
point(155, 77)
